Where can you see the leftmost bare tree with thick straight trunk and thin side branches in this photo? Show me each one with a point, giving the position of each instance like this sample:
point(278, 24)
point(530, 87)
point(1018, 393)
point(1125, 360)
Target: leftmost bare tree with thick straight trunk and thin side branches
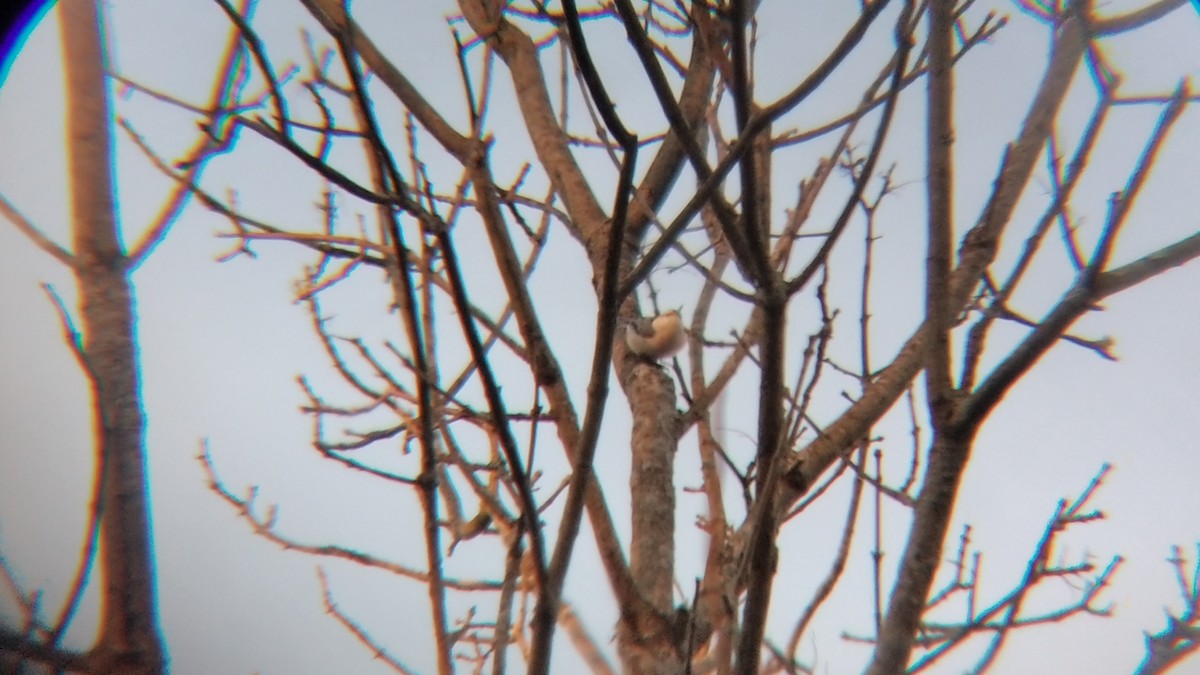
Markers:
point(106, 348)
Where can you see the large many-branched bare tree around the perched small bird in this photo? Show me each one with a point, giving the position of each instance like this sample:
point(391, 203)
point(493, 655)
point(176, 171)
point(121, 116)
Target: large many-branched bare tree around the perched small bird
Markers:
point(495, 428)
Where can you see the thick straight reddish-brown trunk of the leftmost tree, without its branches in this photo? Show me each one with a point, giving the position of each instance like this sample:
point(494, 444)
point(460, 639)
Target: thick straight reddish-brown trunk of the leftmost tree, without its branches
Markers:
point(130, 641)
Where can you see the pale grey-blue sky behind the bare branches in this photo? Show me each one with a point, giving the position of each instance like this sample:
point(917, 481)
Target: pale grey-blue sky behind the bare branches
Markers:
point(224, 344)
